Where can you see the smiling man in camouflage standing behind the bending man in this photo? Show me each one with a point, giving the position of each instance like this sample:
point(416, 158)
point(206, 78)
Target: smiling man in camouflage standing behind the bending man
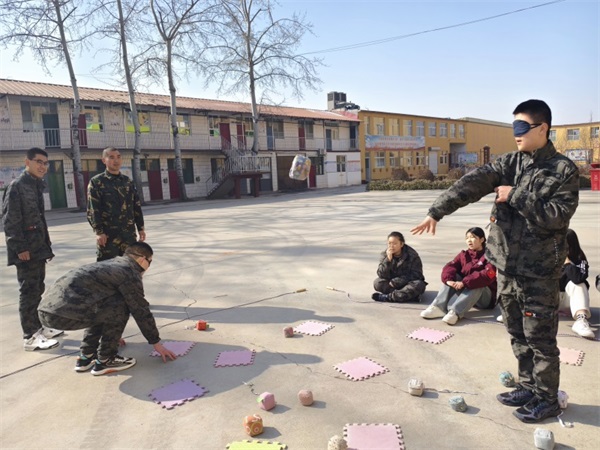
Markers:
point(114, 209)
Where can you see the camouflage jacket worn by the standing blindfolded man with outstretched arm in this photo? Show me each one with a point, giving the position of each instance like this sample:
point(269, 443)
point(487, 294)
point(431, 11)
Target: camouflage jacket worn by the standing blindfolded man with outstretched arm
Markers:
point(526, 233)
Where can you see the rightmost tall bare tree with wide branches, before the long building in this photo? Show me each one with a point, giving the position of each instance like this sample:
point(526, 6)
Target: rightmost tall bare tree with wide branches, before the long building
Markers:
point(255, 53)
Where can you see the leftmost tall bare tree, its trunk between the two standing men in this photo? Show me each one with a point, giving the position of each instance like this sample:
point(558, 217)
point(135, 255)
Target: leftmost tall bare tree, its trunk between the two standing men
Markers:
point(51, 29)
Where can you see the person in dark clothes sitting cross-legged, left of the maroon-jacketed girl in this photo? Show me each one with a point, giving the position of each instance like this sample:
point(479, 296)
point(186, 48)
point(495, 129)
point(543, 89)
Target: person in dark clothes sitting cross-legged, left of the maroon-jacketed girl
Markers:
point(400, 273)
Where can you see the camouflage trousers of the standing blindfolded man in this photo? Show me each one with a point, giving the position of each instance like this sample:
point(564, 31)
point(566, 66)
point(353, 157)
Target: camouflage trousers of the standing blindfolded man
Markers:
point(530, 310)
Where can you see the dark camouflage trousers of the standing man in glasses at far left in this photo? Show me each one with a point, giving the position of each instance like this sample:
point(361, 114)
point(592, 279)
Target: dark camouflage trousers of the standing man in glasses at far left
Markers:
point(30, 275)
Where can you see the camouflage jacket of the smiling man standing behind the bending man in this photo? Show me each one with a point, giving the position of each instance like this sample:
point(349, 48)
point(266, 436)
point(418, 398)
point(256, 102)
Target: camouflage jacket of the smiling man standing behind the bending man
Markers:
point(113, 205)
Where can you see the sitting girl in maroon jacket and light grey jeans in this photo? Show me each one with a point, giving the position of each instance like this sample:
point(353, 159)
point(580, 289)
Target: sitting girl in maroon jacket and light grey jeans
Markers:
point(469, 280)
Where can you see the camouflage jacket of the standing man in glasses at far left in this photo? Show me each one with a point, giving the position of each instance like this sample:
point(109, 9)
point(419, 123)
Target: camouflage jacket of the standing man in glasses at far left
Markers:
point(24, 221)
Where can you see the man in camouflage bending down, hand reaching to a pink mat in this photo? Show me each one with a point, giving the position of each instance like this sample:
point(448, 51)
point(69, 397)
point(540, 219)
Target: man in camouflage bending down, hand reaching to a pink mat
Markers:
point(99, 297)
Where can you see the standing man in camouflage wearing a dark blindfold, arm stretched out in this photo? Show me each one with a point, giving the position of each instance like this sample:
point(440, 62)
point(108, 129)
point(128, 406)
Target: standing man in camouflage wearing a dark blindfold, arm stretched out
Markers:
point(537, 193)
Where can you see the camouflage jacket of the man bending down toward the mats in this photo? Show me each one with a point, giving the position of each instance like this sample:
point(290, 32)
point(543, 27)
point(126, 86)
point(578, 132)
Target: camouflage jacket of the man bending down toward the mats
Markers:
point(81, 292)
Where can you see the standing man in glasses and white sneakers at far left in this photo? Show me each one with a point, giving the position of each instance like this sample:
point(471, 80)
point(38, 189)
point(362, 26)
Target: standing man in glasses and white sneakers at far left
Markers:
point(28, 246)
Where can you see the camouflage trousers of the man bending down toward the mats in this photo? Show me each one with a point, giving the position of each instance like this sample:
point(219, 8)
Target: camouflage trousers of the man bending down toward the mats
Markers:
point(103, 330)
